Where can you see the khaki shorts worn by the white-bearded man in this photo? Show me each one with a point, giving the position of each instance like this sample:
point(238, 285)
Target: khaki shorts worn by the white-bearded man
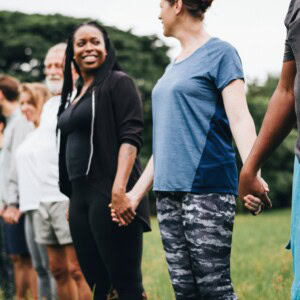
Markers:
point(52, 227)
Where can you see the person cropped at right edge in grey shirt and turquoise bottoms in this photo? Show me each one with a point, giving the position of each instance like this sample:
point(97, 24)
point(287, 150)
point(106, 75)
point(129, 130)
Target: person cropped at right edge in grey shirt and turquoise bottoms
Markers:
point(282, 115)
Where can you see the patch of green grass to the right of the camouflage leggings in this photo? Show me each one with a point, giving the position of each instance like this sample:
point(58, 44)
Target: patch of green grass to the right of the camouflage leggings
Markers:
point(261, 266)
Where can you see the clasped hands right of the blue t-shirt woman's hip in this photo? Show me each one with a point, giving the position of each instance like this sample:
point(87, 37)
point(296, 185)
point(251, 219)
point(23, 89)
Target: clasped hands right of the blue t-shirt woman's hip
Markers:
point(253, 193)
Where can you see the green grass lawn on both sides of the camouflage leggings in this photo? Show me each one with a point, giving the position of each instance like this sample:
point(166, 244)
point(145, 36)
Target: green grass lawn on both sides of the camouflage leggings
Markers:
point(261, 267)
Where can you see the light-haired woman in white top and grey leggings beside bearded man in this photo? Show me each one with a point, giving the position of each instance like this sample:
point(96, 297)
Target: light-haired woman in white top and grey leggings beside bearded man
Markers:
point(24, 184)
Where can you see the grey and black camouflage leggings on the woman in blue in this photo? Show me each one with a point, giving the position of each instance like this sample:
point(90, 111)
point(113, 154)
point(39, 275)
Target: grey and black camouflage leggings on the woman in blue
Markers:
point(196, 232)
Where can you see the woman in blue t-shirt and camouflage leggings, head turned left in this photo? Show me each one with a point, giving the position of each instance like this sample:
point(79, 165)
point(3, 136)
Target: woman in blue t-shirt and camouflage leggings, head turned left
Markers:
point(198, 105)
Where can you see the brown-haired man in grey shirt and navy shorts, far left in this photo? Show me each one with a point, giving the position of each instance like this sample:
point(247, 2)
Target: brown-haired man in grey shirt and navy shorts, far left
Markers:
point(14, 236)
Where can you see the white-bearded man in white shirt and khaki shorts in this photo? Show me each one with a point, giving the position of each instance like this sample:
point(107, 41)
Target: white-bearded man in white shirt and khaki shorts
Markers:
point(50, 222)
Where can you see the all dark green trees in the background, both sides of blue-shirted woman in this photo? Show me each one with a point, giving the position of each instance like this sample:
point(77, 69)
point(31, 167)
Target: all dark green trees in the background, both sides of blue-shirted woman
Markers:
point(25, 40)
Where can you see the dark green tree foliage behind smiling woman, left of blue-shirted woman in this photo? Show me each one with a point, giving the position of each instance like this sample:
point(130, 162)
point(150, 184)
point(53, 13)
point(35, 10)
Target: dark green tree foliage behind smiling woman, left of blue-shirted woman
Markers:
point(25, 40)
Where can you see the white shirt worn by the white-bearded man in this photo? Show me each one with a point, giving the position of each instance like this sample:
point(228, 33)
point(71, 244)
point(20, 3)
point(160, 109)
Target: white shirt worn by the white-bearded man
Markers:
point(47, 153)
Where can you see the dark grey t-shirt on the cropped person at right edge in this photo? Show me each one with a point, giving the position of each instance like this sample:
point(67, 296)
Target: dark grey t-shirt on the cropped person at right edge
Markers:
point(292, 52)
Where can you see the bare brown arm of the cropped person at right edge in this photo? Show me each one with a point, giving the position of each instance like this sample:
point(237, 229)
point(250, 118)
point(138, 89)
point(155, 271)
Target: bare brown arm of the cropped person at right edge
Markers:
point(278, 122)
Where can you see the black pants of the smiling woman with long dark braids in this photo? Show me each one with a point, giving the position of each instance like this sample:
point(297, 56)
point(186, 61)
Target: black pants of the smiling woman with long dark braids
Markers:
point(108, 255)
